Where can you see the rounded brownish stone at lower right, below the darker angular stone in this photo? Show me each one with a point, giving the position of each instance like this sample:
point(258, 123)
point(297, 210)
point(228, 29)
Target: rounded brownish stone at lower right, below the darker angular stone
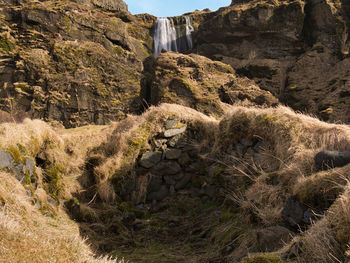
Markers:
point(273, 238)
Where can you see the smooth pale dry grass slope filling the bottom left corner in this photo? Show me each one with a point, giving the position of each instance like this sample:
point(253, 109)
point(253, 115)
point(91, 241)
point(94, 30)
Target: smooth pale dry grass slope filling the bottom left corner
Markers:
point(26, 235)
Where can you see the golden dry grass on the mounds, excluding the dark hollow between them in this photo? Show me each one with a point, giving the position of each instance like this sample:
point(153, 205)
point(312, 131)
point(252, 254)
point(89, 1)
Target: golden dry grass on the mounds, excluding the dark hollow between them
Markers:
point(291, 141)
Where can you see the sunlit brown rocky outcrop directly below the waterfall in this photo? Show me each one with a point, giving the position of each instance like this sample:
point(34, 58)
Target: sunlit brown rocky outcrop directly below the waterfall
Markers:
point(198, 82)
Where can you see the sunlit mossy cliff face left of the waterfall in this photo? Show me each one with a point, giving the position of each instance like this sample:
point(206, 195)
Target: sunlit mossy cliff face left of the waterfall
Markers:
point(75, 62)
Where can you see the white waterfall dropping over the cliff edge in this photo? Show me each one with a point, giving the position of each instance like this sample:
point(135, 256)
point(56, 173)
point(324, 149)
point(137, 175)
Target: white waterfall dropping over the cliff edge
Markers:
point(173, 34)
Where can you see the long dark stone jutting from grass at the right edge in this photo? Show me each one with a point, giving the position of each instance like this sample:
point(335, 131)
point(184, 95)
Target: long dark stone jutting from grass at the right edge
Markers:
point(330, 159)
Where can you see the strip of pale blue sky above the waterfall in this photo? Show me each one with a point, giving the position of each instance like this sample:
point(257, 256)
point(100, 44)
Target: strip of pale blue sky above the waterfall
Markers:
point(172, 7)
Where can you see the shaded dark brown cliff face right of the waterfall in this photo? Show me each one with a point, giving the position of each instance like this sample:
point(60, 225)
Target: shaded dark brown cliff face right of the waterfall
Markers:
point(295, 49)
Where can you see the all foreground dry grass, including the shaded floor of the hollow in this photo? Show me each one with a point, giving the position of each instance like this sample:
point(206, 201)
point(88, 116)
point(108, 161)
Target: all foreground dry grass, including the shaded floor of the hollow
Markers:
point(86, 169)
